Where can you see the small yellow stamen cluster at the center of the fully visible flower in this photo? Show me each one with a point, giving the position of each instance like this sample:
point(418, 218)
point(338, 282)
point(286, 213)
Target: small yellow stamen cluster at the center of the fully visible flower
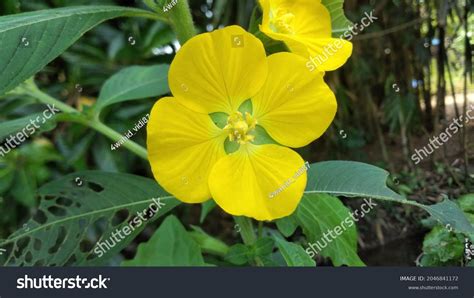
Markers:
point(240, 127)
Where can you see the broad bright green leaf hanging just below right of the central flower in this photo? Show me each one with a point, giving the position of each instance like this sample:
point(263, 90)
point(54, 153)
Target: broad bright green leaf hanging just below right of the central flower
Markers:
point(319, 214)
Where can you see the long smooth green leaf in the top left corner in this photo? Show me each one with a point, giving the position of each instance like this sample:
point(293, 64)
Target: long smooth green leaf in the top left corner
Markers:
point(31, 40)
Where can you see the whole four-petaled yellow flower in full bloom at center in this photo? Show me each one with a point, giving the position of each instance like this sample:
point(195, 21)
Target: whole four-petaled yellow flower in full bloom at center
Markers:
point(226, 75)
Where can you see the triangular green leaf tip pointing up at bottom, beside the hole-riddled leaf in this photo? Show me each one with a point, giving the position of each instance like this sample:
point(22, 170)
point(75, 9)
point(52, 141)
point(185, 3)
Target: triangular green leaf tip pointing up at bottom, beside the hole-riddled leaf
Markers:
point(170, 246)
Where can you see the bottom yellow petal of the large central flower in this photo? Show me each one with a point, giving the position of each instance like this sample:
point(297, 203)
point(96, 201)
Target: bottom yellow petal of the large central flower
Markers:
point(263, 182)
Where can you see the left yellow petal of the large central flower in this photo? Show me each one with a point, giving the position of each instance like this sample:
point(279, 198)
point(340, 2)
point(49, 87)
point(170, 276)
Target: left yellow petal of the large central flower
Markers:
point(183, 146)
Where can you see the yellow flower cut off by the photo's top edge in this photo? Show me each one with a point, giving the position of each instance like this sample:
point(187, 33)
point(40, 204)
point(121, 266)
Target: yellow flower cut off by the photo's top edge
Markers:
point(305, 27)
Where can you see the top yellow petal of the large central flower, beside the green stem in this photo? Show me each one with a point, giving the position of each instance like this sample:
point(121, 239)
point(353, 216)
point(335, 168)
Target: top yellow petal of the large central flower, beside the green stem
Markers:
point(216, 72)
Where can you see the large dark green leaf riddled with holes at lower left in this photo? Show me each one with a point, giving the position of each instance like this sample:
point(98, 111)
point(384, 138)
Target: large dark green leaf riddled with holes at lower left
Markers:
point(81, 209)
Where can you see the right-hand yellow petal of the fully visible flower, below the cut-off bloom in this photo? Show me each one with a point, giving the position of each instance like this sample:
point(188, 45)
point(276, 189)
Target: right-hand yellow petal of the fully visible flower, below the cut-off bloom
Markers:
point(295, 106)
